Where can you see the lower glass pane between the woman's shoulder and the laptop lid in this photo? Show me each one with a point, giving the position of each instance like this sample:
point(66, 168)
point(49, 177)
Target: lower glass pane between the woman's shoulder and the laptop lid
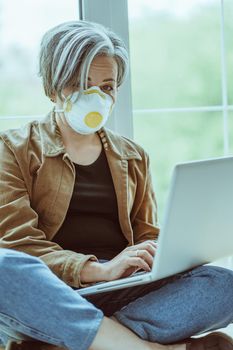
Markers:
point(176, 138)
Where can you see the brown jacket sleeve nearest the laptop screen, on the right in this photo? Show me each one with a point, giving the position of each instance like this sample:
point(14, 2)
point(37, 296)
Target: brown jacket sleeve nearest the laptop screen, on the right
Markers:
point(145, 222)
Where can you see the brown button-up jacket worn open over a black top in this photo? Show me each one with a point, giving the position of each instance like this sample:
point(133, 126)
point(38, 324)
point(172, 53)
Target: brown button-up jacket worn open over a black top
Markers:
point(36, 185)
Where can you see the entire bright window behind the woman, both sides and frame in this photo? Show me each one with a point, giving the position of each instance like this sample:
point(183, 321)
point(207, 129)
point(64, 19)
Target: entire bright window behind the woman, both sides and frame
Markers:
point(181, 68)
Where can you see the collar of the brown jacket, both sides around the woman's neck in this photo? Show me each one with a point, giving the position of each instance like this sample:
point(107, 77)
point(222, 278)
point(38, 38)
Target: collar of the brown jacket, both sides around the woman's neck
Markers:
point(52, 143)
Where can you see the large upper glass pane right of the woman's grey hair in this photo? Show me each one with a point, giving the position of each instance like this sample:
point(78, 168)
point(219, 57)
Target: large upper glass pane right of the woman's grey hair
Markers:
point(175, 53)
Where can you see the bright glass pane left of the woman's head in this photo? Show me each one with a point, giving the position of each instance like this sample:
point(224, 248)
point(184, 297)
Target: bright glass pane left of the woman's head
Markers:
point(22, 24)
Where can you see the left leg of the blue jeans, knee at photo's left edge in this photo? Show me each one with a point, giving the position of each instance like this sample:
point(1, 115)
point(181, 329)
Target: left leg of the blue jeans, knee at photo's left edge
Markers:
point(34, 303)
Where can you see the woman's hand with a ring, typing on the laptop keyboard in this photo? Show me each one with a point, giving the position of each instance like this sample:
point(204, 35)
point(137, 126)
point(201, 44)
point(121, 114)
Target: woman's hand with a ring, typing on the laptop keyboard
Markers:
point(131, 259)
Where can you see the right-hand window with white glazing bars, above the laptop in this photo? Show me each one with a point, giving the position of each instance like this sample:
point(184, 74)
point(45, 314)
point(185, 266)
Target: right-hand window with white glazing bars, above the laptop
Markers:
point(181, 66)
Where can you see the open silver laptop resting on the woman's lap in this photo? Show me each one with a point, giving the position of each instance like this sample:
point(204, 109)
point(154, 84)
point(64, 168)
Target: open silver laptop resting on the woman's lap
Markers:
point(197, 227)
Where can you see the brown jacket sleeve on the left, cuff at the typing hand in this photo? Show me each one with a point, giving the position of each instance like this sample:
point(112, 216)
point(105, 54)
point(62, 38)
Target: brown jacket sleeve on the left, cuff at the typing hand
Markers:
point(19, 224)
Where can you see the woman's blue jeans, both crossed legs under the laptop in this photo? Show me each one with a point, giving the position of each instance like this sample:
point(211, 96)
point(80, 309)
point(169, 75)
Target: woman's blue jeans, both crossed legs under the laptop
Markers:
point(34, 303)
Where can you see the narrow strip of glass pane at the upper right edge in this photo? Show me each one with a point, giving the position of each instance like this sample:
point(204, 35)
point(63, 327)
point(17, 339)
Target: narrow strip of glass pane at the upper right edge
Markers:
point(228, 26)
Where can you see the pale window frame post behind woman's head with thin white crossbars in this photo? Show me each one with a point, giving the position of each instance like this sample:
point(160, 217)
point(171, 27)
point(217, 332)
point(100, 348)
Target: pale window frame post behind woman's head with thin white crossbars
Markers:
point(115, 15)
